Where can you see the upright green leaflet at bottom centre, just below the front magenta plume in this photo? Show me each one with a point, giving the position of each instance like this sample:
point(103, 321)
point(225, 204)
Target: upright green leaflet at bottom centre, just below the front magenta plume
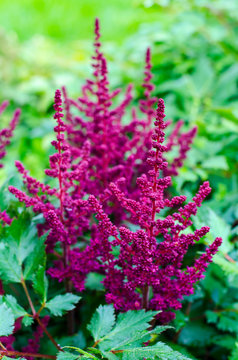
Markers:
point(102, 321)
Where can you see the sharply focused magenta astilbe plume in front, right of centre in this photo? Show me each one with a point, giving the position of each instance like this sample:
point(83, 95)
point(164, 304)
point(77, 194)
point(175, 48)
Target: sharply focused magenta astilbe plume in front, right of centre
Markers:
point(147, 271)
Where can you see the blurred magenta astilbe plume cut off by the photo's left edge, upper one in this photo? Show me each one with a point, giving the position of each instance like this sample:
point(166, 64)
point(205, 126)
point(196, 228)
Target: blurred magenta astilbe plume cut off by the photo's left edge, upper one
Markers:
point(7, 133)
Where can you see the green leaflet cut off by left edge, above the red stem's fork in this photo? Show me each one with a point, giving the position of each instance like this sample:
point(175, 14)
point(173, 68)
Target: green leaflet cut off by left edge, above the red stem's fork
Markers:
point(10, 269)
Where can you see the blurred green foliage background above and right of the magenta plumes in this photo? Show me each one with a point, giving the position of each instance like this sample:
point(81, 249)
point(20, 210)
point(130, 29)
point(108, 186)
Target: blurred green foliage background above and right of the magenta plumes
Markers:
point(45, 44)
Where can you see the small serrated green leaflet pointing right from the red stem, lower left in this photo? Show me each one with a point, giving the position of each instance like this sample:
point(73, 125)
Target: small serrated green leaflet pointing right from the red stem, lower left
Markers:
point(62, 303)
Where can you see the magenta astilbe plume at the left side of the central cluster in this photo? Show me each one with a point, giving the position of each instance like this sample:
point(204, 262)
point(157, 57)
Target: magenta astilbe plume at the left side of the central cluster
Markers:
point(63, 208)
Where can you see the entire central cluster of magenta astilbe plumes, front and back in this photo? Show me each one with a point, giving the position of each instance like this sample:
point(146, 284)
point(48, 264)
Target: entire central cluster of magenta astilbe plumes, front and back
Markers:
point(98, 155)
